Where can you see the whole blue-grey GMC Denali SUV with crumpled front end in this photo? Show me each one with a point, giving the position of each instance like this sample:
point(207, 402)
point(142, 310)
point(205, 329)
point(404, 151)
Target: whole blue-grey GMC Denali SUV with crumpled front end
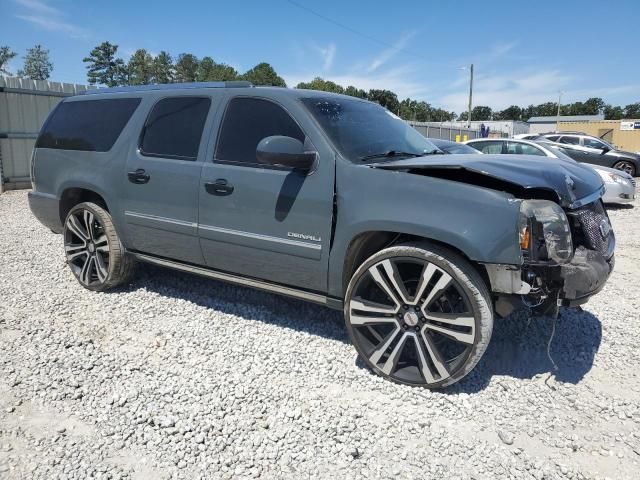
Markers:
point(326, 198)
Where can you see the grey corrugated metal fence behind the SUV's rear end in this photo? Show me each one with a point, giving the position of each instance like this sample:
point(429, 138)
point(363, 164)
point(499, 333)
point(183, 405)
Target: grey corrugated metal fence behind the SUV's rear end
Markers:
point(24, 106)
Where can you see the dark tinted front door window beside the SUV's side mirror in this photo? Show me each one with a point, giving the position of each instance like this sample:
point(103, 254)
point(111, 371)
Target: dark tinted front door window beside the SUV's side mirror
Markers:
point(246, 122)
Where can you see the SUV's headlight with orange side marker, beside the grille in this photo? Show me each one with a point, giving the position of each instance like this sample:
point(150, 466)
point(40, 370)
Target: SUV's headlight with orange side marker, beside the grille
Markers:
point(545, 236)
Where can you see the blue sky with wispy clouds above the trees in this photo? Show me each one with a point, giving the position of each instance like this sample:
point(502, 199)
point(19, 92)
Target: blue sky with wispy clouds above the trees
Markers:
point(523, 52)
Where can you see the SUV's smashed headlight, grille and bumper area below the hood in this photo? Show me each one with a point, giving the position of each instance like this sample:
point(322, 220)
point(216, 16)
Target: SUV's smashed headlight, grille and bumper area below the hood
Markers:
point(567, 256)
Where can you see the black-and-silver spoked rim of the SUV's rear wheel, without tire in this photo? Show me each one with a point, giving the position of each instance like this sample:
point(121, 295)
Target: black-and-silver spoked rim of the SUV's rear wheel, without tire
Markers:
point(86, 247)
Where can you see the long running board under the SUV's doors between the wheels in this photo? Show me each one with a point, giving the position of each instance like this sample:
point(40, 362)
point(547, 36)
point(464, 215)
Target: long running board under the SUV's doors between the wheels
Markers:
point(330, 302)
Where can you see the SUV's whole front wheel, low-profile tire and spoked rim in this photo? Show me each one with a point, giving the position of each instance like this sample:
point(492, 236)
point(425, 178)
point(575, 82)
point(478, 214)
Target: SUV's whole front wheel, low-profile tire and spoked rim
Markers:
point(419, 315)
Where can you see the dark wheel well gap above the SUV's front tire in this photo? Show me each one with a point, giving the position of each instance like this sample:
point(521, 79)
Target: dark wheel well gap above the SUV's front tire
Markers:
point(368, 243)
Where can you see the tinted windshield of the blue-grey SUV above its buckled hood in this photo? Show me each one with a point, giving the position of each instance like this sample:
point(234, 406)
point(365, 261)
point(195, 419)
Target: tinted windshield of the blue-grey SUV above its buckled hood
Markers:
point(364, 131)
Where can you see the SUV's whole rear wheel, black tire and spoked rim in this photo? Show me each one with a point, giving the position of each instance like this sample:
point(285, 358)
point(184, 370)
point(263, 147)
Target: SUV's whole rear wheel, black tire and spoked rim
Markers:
point(94, 251)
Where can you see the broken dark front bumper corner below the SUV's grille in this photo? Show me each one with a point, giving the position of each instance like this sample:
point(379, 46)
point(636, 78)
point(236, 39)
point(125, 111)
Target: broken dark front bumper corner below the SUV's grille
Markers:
point(585, 276)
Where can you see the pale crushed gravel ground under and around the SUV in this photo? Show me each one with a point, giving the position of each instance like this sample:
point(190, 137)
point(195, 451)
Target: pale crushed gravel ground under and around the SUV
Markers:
point(176, 376)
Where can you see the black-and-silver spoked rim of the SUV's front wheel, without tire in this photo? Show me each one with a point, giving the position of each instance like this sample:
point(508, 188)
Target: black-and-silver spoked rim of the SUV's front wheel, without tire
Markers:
point(433, 369)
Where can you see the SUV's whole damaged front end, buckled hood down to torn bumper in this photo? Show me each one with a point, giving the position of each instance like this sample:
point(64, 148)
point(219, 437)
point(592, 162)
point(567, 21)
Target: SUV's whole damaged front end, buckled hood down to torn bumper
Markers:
point(565, 237)
